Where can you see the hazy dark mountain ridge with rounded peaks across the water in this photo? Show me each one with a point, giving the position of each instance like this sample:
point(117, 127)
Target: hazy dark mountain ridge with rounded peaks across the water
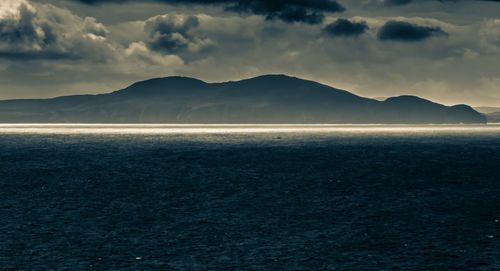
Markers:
point(264, 99)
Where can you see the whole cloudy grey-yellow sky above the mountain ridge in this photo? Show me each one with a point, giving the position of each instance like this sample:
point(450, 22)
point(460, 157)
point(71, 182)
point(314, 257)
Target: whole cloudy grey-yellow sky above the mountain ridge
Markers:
point(444, 50)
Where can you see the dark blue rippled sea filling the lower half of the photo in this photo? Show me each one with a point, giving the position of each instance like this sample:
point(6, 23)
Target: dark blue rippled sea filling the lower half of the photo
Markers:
point(350, 200)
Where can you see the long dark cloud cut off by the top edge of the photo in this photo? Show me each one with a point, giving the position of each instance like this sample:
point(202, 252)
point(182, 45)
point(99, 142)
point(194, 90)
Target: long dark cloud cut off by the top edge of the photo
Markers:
point(305, 11)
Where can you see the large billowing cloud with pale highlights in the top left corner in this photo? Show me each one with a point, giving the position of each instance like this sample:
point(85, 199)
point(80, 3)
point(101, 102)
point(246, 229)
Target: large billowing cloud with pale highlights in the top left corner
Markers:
point(47, 32)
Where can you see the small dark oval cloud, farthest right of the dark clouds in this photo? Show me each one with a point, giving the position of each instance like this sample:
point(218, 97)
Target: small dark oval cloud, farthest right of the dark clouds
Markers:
point(408, 32)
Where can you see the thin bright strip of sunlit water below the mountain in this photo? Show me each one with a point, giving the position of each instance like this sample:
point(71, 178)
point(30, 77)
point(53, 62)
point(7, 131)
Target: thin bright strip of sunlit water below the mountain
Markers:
point(240, 128)
